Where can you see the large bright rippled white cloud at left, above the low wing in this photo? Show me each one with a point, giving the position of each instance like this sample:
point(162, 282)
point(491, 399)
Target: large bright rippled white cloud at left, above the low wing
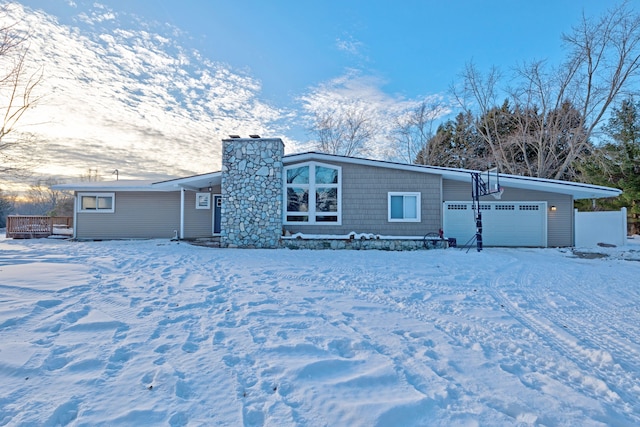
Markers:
point(133, 99)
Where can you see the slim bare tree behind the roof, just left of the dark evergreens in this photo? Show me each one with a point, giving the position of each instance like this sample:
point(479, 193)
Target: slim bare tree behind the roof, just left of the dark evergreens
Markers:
point(414, 131)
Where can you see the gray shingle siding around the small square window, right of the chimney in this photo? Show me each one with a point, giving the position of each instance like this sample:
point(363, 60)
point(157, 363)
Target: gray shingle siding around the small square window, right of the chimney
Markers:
point(364, 202)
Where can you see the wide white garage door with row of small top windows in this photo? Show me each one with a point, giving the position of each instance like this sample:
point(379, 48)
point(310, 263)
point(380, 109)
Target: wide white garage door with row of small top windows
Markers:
point(503, 223)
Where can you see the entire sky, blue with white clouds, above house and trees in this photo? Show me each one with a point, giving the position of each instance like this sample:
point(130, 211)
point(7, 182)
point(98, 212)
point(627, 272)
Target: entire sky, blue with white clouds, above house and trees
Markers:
point(248, 66)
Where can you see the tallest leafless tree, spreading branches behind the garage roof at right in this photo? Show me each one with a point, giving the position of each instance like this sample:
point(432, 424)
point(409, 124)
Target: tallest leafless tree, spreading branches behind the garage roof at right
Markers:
point(553, 113)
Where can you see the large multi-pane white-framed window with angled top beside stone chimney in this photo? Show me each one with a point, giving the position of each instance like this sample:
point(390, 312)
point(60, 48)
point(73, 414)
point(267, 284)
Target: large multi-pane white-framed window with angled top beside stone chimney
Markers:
point(312, 194)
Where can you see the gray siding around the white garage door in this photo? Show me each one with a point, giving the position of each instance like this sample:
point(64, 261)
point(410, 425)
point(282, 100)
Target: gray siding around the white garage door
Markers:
point(559, 223)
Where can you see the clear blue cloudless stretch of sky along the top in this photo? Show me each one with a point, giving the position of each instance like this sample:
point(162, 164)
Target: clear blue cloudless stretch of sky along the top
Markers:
point(415, 48)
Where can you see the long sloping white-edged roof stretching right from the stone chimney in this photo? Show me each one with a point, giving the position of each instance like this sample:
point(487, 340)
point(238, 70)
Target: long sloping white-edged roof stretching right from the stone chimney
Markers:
point(576, 189)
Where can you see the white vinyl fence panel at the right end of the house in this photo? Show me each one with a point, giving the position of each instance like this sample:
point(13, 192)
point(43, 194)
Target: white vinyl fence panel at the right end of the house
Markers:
point(601, 227)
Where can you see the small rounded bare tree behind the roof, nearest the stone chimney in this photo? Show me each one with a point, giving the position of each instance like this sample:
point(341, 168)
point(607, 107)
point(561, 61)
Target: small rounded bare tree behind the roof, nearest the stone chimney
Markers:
point(344, 130)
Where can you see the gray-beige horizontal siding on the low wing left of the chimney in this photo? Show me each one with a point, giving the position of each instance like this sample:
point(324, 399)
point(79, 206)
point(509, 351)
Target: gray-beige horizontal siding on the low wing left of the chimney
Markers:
point(137, 215)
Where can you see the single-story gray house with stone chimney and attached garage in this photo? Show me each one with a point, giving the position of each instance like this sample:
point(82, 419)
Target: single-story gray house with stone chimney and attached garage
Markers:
point(262, 198)
